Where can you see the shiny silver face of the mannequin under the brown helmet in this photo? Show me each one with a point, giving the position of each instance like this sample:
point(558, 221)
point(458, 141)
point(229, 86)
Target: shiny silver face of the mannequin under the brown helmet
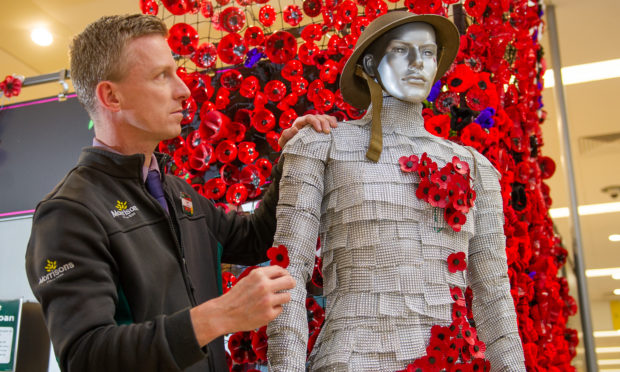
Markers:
point(407, 58)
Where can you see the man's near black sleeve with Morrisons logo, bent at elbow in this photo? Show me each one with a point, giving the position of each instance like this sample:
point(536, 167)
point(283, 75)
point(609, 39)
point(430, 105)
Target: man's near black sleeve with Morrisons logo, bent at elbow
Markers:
point(74, 277)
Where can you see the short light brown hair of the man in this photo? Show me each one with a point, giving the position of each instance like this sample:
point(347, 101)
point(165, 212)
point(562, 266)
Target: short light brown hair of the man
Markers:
point(96, 52)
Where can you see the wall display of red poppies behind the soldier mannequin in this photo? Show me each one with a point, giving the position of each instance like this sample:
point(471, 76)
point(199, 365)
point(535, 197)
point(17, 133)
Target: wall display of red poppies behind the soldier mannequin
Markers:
point(253, 66)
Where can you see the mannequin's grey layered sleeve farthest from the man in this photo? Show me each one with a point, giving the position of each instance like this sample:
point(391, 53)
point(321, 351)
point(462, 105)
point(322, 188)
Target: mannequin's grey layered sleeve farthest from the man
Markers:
point(493, 306)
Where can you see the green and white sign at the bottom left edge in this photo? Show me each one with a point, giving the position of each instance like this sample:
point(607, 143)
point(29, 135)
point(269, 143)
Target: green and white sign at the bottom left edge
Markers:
point(10, 312)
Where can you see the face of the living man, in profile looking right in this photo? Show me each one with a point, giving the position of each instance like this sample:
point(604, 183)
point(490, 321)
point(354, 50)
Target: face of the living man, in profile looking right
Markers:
point(150, 92)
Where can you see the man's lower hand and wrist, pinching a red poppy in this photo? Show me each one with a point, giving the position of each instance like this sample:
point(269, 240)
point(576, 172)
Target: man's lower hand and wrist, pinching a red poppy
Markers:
point(253, 302)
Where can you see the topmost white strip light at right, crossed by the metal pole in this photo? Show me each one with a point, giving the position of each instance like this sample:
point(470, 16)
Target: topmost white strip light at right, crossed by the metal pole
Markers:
point(585, 73)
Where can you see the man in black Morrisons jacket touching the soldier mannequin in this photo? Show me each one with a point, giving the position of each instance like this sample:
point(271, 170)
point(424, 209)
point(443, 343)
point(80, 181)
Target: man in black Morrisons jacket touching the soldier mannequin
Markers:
point(127, 273)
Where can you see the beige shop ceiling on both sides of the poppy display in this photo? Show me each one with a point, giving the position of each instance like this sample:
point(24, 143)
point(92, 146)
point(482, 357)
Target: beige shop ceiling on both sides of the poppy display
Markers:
point(585, 35)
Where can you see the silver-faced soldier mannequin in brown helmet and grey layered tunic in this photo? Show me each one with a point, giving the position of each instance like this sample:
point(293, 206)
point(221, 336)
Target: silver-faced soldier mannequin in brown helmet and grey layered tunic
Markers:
point(385, 251)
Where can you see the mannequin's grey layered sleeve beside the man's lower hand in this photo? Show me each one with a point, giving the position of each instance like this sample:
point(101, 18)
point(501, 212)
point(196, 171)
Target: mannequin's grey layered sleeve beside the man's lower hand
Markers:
point(299, 213)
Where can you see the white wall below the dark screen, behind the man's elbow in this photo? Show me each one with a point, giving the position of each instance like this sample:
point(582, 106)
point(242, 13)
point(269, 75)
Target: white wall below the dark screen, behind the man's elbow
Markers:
point(14, 234)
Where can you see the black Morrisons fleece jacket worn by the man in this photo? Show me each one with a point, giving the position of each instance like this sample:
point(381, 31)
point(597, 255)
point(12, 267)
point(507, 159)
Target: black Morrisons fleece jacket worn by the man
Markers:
point(116, 275)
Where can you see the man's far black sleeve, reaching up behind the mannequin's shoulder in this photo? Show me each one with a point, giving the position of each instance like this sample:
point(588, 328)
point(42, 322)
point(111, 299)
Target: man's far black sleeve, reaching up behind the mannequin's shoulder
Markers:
point(246, 238)
